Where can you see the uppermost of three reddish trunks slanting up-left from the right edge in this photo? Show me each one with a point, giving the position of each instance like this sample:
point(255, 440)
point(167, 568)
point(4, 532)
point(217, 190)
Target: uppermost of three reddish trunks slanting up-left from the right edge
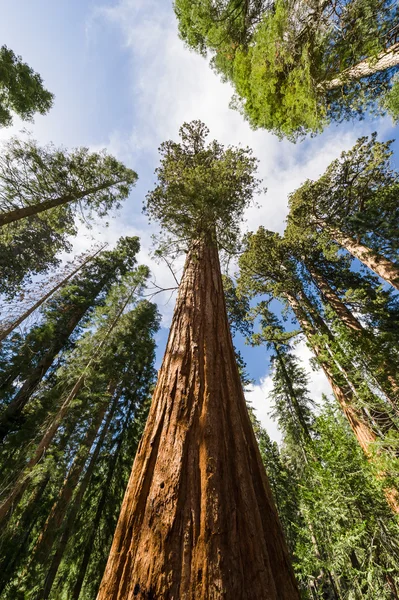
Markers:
point(383, 267)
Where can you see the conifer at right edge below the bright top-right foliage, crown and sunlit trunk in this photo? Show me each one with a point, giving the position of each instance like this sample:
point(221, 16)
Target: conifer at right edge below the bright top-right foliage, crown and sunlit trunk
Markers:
point(354, 203)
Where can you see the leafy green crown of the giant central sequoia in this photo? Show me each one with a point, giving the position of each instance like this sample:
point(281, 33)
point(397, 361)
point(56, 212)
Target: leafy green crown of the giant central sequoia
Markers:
point(202, 189)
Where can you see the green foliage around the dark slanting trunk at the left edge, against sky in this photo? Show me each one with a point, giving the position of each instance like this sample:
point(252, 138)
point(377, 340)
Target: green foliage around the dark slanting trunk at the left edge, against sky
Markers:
point(91, 183)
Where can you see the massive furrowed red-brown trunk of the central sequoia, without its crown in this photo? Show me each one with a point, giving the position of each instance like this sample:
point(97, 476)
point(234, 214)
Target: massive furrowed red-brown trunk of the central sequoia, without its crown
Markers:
point(198, 519)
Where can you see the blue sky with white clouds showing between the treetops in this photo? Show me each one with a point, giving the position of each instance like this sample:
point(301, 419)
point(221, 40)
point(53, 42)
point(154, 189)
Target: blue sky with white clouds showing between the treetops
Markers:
point(124, 81)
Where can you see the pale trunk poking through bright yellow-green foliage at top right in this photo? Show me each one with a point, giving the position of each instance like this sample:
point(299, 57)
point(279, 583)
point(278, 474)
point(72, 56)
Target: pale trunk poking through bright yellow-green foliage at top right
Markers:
point(386, 59)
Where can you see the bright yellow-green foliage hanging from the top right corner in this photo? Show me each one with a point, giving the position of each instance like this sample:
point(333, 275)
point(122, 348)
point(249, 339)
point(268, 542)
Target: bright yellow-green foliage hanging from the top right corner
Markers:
point(282, 56)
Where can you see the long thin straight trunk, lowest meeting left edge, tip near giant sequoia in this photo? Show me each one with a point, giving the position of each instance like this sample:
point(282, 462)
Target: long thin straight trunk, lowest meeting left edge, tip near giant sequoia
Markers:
point(48, 436)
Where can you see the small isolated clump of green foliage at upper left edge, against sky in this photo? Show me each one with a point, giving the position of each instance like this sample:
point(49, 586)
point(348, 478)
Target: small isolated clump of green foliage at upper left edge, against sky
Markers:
point(21, 89)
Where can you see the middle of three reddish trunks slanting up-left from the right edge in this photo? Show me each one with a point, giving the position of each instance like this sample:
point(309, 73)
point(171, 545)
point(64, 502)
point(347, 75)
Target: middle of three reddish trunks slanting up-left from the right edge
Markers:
point(385, 371)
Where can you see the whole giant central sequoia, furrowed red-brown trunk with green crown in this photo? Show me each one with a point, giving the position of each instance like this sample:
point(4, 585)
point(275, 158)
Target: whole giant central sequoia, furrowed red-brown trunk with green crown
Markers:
point(198, 519)
